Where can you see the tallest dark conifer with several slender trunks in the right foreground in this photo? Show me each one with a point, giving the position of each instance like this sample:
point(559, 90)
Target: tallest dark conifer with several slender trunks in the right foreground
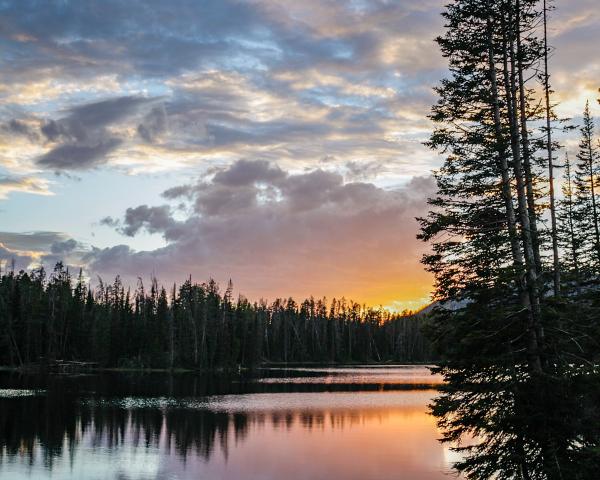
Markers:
point(507, 357)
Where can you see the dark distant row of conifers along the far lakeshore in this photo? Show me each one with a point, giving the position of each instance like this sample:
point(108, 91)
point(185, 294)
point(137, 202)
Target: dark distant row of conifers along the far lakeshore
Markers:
point(193, 326)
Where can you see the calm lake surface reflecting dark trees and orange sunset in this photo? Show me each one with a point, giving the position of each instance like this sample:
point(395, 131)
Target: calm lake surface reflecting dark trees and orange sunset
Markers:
point(306, 423)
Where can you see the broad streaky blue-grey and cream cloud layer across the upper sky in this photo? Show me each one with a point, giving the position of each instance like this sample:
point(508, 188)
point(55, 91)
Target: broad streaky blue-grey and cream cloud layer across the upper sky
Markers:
point(259, 79)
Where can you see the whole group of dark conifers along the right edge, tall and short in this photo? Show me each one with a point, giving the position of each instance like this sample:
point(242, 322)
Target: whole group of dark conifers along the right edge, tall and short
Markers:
point(521, 356)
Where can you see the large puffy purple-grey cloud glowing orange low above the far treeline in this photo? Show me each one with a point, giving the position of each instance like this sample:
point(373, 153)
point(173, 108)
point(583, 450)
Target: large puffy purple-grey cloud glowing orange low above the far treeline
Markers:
point(281, 233)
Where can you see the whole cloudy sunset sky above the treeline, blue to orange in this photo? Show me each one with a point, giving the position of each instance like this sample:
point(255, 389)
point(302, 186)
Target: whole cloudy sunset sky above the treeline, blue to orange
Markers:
point(275, 143)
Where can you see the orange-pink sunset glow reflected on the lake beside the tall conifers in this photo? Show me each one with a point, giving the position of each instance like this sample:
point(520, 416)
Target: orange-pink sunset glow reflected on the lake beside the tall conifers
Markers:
point(379, 442)
